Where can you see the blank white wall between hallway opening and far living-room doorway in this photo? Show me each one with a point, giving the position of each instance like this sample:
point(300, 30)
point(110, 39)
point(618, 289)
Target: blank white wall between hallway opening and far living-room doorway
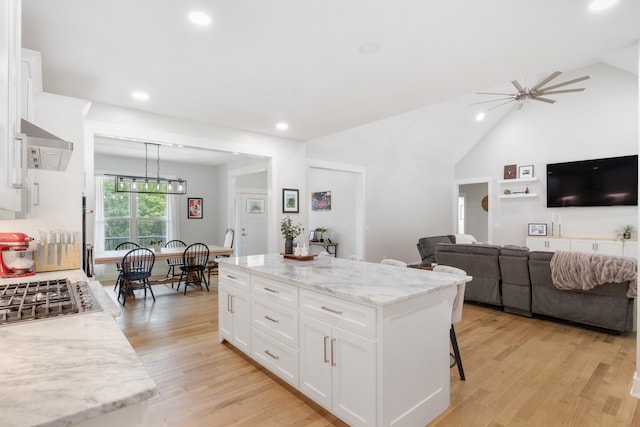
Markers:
point(408, 189)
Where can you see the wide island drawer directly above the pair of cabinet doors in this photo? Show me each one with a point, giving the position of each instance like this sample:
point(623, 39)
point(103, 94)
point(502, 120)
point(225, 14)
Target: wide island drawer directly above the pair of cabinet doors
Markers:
point(352, 316)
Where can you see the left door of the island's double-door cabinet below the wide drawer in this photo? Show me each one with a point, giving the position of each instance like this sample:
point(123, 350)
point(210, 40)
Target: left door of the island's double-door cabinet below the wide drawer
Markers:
point(315, 360)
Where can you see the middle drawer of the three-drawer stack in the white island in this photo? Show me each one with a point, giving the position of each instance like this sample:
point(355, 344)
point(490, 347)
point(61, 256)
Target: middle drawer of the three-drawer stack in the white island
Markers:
point(276, 321)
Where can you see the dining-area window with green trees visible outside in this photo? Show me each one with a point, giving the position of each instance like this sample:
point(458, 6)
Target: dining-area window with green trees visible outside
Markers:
point(135, 217)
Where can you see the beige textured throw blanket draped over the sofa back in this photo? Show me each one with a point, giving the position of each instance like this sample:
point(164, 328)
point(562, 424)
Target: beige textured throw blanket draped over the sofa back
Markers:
point(585, 271)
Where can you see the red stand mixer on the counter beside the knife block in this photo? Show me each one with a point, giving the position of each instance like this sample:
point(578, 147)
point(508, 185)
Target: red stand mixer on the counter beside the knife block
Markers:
point(16, 259)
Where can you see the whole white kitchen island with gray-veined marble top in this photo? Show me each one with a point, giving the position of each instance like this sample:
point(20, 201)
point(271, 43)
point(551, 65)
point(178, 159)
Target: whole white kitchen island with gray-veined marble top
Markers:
point(368, 342)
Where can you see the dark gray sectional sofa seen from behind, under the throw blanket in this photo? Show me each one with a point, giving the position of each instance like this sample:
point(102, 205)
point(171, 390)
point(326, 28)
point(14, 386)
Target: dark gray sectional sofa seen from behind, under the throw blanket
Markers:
point(519, 281)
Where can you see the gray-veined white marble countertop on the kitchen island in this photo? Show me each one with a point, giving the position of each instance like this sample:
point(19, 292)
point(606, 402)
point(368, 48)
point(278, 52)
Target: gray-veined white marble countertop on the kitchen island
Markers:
point(367, 282)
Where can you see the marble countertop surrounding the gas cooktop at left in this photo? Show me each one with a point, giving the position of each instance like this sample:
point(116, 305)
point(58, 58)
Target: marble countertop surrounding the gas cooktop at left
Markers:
point(64, 370)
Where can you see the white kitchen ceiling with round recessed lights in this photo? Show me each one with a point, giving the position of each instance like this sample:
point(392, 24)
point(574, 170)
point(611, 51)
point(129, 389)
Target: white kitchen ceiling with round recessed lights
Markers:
point(321, 66)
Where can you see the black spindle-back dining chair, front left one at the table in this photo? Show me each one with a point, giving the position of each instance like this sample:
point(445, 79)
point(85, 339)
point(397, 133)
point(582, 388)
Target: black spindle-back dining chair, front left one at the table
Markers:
point(136, 270)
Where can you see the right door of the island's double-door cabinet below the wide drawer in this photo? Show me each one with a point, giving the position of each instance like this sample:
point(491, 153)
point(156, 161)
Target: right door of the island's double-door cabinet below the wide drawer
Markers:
point(353, 362)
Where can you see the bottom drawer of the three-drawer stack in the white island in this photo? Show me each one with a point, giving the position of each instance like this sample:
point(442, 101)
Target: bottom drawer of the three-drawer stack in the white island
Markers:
point(279, 358)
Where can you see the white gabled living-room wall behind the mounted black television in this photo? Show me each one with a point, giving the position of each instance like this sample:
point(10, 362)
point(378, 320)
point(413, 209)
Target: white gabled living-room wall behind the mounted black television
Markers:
point(600, 122)
